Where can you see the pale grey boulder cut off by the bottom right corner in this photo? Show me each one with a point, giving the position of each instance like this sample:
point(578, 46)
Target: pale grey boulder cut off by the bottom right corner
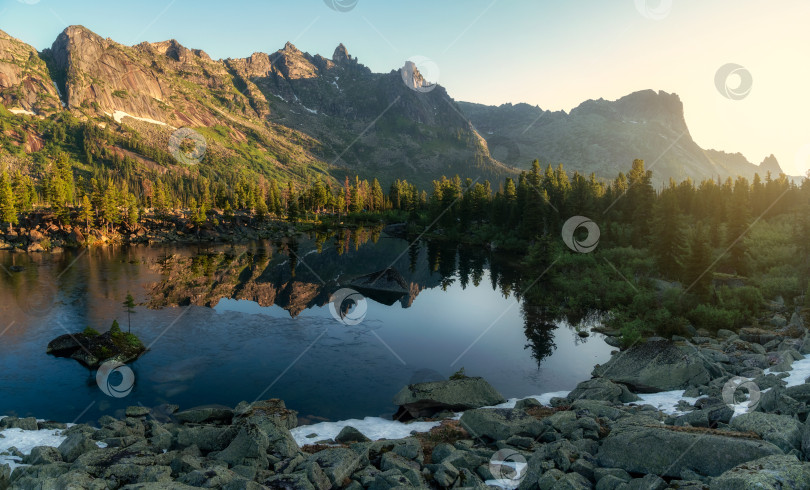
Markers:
point(784, 471)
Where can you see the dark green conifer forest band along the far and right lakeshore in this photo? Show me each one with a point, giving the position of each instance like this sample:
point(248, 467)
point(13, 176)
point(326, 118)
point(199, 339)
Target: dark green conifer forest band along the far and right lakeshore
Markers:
point(665, 263)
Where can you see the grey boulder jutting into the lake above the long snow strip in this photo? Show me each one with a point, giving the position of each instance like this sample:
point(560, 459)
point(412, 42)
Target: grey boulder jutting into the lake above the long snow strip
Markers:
point(427, 399)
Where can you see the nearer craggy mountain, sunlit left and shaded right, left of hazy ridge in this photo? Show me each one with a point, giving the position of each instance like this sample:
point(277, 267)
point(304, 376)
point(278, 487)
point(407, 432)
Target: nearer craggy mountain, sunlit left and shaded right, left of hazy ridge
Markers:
point(298, 109)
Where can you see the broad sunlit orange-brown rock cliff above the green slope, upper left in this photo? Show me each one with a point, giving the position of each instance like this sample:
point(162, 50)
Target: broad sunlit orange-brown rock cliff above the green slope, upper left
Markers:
point(164, 81)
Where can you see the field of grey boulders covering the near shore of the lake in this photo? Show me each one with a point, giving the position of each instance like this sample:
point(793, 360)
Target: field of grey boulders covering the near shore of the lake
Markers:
point(600, 436)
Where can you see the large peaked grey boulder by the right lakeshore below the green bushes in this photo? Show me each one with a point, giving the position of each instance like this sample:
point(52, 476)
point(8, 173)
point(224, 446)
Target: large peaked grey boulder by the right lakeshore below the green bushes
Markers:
point(658, 366)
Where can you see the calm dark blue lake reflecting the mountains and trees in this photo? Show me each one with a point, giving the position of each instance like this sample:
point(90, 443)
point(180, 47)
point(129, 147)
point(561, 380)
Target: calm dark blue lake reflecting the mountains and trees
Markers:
point(245, 322)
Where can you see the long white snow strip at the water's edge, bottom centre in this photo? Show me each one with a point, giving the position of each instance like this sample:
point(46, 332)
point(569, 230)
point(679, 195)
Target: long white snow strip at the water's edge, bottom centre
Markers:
point(374, 428)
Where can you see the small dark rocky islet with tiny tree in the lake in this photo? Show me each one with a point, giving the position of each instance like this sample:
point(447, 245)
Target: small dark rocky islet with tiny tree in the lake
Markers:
point(92, 349)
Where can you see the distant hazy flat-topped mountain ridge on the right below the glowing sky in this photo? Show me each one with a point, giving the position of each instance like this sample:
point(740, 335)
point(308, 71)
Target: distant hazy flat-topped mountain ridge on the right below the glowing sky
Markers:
point(603, 137)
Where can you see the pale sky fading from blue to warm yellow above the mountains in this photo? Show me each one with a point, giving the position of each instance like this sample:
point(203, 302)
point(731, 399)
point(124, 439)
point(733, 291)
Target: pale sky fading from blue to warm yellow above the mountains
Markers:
point(549, 53)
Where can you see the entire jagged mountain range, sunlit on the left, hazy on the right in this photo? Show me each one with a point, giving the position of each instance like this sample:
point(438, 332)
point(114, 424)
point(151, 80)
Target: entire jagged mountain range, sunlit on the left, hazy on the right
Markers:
point(293, 115)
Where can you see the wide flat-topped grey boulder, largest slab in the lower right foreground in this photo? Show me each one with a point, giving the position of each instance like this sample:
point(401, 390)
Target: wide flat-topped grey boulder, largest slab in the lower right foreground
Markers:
point(667, 452)
